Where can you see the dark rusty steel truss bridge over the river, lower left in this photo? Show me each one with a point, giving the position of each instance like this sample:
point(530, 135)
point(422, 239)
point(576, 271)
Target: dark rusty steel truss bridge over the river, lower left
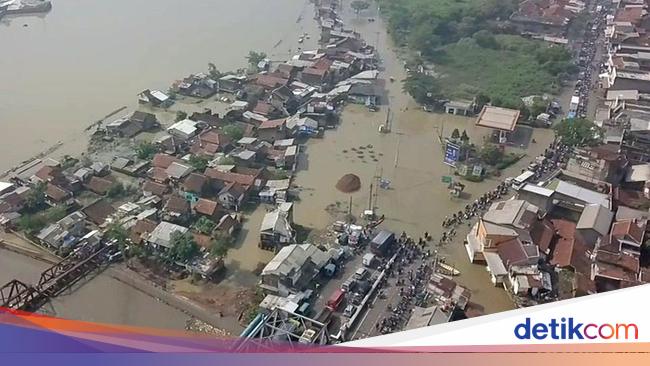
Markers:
point(17, 295)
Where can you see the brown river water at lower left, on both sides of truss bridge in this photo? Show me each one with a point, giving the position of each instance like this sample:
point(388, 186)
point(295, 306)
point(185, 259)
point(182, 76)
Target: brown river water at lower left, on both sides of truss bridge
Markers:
point(105, 300)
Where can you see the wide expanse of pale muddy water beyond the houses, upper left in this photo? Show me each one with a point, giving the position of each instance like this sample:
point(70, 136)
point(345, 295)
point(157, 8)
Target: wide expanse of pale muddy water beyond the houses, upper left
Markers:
point(87, 58)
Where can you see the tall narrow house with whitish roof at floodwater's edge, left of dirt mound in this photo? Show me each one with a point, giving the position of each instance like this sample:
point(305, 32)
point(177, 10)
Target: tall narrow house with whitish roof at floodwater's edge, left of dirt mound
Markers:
point(276, 229)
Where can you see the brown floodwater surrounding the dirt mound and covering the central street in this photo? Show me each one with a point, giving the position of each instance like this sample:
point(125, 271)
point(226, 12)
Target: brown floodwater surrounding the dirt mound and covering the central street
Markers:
point(411, 158)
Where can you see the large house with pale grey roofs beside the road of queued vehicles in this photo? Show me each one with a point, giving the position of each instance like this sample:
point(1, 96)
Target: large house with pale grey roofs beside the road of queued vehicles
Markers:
point(293, 269)
